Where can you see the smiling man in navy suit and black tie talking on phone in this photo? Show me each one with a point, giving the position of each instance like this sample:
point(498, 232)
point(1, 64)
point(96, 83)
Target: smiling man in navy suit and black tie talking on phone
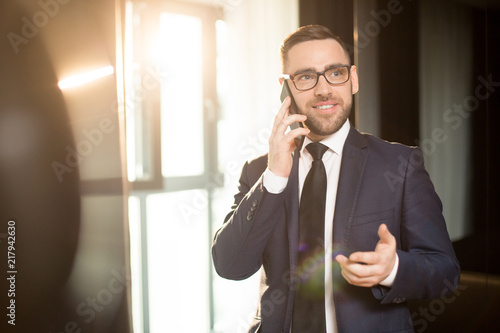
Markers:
point(383, 238)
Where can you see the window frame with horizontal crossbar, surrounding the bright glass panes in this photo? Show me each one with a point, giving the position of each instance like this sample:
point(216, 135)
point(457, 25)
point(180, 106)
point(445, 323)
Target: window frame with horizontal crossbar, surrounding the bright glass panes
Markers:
point(151, 105)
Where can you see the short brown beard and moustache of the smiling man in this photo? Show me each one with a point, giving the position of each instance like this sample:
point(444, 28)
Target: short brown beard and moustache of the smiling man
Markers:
point(327, 124)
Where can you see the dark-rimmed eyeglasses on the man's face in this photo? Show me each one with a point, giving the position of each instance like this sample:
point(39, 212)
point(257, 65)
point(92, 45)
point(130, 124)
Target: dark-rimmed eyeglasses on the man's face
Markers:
point(306, 81)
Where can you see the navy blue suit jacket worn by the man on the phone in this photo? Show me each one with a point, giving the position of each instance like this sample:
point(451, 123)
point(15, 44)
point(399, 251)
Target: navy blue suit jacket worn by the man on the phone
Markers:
point(379, 182)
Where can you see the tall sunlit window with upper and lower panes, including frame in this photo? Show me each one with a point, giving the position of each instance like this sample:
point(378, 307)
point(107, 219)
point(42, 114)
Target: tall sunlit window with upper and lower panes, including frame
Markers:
point(170, 89)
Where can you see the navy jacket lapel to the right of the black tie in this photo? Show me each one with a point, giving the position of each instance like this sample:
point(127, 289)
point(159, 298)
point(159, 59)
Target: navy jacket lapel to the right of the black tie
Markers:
point(353, 163)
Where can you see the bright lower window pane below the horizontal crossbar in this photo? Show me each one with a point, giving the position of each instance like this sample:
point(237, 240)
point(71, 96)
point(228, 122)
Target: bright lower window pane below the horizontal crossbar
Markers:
point(178, 250)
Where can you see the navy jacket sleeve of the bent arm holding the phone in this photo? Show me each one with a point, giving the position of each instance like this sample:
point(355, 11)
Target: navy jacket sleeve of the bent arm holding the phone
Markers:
point(239, 244)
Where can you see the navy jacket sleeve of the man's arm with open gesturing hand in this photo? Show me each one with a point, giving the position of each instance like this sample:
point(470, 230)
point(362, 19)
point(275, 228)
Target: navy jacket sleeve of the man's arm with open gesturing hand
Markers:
point(428, 267)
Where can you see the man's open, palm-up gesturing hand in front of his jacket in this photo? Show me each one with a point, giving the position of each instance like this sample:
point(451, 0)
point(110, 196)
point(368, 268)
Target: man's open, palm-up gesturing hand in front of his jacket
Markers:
point(366, 269)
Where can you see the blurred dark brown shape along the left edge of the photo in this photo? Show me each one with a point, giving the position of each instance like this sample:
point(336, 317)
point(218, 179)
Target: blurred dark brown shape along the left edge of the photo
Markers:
point(34, 132)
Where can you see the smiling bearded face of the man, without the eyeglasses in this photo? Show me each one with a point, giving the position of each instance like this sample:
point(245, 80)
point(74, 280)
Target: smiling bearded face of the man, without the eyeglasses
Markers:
point(326, 106)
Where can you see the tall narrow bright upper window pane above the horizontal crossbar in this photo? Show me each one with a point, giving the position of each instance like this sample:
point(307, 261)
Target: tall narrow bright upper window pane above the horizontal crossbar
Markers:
point(180, 58)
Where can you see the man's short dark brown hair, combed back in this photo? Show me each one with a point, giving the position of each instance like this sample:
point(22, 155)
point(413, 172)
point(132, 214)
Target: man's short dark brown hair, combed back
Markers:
point(308, 33)
